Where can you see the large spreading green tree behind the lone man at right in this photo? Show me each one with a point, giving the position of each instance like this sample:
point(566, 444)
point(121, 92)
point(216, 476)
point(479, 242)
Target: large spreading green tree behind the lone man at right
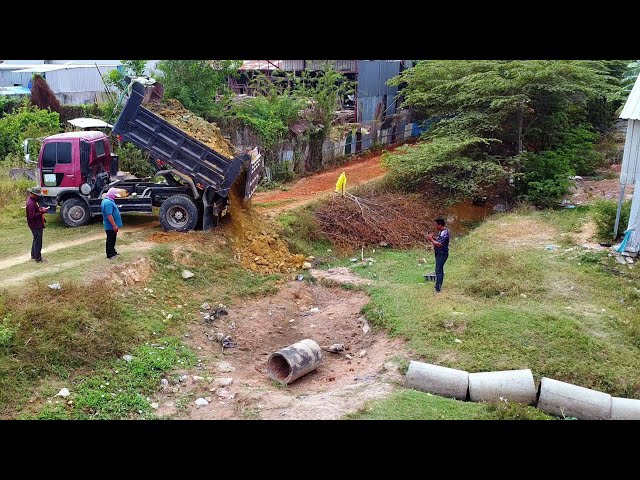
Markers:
point(539, 119)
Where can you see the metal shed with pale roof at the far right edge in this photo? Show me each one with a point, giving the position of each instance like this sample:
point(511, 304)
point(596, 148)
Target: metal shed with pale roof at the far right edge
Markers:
point(630, 171)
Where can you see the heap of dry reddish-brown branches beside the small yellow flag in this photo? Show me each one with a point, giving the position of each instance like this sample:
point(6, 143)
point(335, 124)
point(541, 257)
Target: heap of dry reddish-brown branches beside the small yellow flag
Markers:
point(387, 219)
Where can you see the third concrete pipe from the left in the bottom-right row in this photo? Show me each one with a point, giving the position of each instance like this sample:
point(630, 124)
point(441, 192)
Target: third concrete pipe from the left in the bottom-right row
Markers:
point(563, 399)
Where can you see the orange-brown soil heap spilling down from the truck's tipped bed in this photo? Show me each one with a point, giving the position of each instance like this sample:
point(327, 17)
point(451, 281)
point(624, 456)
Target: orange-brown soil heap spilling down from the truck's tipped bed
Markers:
point(253, 238)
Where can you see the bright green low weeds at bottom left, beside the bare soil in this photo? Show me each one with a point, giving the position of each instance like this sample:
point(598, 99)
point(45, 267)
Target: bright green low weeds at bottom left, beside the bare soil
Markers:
point(118, 389)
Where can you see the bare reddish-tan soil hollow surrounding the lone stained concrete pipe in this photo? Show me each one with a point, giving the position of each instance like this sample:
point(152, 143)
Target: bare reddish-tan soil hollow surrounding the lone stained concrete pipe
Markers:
point(342, 383)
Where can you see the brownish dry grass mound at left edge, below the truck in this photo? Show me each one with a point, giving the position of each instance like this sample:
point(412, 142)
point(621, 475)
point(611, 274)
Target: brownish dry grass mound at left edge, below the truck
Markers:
point(52, 332)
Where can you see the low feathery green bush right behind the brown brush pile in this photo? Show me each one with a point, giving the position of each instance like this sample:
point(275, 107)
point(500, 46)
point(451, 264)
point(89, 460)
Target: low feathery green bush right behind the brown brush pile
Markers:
point(454, 165)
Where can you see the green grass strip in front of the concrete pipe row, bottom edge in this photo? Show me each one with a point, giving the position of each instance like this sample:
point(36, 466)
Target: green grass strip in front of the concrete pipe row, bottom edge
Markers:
point(414, 405)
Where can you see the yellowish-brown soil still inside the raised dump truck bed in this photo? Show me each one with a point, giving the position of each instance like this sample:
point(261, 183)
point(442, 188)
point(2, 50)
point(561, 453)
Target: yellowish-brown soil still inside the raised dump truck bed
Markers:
point(208, 133)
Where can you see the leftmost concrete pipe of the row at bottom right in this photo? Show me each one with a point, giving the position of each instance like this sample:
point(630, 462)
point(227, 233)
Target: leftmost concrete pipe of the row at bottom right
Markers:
point(443, 381)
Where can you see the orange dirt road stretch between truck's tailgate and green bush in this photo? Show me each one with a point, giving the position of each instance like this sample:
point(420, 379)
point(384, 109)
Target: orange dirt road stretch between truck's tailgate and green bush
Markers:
point(310, 188)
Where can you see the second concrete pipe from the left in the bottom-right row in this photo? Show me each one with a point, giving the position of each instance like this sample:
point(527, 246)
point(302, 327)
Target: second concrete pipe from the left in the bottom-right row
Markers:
point(512, 385)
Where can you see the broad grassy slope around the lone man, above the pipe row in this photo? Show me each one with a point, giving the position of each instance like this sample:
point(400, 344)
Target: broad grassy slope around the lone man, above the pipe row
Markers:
point(516, 307)
